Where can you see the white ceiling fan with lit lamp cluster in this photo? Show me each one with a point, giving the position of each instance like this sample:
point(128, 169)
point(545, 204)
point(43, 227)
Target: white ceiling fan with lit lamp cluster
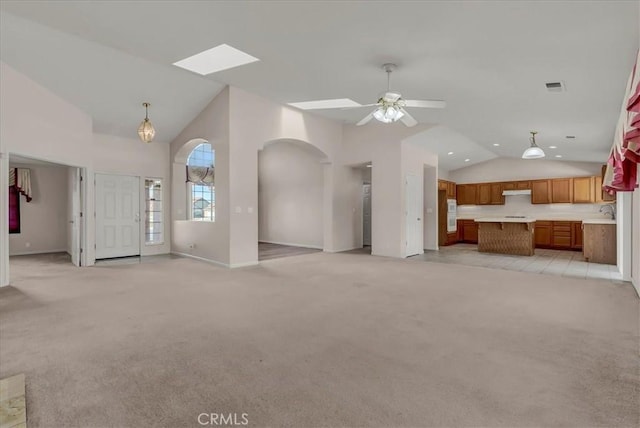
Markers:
point(391, 105)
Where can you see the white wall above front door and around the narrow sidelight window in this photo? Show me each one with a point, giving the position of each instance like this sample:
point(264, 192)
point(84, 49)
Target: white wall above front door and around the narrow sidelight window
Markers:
point(130, 156)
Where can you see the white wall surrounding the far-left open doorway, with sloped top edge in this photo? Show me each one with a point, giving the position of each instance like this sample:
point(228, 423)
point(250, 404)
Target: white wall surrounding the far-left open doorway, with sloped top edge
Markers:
point(38, 124)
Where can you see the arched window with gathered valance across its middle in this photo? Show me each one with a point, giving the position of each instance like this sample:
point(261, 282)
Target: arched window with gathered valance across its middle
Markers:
point(202, 194)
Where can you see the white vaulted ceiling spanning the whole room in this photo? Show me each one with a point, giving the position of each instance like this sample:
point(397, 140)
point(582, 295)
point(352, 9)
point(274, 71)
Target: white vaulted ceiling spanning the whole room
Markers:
point(488, 60)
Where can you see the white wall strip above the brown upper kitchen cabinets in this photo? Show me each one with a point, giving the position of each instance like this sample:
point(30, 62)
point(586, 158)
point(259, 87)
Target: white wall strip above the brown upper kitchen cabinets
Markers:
point(506, 169)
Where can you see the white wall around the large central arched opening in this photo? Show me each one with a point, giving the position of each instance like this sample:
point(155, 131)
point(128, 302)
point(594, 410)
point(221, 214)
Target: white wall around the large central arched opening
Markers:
point(268, 122)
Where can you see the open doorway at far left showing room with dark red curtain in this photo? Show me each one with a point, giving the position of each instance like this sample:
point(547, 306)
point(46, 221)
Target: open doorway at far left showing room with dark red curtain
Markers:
point(46, 223)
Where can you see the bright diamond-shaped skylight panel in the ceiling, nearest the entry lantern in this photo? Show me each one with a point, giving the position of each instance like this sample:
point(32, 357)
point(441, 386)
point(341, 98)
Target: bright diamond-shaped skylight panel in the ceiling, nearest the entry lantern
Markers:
point(220, 58)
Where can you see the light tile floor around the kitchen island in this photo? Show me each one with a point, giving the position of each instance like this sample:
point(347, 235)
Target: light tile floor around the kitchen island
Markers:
point(551, 262)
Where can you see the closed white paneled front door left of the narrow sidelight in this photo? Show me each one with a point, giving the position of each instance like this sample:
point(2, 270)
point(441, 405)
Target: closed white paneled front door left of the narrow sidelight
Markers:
point(117, 216)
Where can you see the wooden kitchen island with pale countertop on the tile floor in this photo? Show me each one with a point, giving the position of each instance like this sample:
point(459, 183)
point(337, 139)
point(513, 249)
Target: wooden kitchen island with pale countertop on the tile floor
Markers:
point(506, 235)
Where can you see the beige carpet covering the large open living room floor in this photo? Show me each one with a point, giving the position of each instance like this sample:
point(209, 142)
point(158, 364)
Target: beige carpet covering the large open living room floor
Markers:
point(319, 340)
